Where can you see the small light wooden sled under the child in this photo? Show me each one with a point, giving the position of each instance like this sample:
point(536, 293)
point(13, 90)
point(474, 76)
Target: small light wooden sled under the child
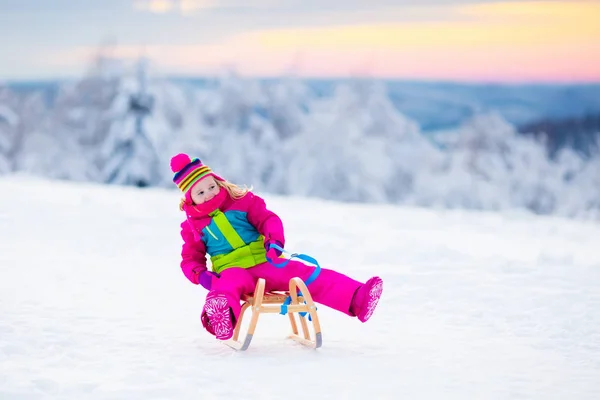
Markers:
point(272, 302)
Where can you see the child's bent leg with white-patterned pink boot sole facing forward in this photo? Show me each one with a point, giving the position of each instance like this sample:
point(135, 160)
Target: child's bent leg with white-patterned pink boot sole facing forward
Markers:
point(222, 307)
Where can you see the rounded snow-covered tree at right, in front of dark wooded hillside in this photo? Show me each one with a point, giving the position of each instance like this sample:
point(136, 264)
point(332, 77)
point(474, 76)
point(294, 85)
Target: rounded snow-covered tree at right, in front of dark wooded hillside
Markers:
point(491, 166)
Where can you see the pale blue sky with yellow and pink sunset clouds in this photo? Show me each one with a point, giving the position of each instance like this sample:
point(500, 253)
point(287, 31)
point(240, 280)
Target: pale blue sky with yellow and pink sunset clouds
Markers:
point(460, 40)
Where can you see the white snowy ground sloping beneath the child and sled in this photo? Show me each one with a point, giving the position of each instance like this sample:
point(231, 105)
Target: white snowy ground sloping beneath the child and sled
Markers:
point(475, 306)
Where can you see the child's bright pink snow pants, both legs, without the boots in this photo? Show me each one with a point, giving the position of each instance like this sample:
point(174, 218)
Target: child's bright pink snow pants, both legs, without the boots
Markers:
point(331, 288)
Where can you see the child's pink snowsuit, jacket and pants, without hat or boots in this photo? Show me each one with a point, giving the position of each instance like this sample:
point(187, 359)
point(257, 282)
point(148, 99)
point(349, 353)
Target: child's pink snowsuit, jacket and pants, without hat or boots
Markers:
point(250, 218)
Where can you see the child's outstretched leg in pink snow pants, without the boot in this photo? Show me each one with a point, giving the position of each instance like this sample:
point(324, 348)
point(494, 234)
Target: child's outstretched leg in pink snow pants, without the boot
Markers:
point(331, 288)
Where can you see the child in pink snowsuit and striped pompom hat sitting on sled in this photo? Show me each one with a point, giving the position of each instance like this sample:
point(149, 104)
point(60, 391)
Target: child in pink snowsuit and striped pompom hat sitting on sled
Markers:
point(235, 228)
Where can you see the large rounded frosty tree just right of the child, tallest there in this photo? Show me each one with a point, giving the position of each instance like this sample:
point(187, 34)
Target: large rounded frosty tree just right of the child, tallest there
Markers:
point(348, 150)
